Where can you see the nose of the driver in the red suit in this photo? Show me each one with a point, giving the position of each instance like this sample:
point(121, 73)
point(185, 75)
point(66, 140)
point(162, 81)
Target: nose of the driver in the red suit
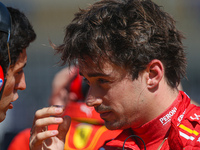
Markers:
point(93, 99)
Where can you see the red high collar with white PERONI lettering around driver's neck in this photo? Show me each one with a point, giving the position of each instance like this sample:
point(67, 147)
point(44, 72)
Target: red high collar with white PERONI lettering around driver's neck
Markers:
point(157, 129)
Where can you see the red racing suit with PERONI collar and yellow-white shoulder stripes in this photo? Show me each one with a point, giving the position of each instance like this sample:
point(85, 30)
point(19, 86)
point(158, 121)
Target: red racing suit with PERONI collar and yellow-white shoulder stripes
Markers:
point(177, 128)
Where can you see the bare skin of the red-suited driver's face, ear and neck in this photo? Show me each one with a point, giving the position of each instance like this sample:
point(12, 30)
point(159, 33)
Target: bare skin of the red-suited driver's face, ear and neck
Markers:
point(119, 99)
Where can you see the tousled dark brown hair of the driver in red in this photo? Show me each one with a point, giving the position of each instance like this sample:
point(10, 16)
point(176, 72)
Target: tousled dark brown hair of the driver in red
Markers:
point(130, 33)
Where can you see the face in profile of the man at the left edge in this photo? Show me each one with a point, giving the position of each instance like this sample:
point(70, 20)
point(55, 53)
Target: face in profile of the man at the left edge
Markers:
point(15, 81)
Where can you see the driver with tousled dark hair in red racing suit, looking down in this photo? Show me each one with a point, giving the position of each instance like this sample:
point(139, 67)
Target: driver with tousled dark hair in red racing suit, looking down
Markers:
point(132, 56)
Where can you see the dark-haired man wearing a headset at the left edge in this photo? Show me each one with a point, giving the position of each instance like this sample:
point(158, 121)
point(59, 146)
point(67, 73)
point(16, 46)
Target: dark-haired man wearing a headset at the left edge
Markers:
point(16, 33)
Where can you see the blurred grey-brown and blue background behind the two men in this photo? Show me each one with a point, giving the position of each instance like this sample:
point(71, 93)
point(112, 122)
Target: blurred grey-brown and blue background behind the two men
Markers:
point(49, 18)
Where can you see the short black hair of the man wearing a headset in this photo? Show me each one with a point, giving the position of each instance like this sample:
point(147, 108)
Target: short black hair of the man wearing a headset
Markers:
point(22, 34)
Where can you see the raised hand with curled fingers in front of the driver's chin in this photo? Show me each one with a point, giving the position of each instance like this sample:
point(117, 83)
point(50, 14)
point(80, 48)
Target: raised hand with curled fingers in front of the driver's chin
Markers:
point(44, 139)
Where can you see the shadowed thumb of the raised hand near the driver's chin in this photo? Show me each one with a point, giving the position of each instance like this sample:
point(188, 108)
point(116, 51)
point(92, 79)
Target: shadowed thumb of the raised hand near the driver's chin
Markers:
point(63, 128)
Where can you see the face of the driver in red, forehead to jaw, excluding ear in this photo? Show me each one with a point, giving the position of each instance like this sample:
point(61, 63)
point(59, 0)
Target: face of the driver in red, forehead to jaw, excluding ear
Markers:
point(118, 99)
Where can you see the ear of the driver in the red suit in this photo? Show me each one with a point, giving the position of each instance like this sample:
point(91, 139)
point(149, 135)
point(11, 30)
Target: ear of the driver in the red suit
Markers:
point(155, 72)
